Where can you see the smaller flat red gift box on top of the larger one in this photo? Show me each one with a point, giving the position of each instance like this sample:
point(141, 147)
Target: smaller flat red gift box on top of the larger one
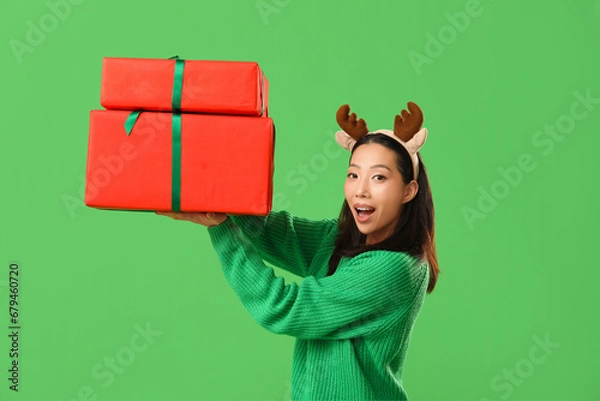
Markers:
point(209, 86)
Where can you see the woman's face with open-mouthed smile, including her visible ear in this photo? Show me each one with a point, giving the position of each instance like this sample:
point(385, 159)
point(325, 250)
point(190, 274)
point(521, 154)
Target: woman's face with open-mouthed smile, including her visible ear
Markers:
point(375, 191)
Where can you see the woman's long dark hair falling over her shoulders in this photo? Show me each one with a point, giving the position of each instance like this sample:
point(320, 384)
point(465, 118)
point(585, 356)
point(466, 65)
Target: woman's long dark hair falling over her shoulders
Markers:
point(414, 233)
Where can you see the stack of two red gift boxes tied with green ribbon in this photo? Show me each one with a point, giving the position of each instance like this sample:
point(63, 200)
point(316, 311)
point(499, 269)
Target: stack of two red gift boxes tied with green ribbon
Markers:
point(181, 135)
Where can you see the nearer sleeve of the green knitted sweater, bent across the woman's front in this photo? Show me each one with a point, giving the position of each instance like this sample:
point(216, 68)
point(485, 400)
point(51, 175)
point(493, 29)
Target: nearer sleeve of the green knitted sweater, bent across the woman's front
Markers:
point(366, 294)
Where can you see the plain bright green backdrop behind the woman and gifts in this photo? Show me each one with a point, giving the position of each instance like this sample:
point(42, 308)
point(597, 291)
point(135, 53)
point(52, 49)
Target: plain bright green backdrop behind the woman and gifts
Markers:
point(518, 272)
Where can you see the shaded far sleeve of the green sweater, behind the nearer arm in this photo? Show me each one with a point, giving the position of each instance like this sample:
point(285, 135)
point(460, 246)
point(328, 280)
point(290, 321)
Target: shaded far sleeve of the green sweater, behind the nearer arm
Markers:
point(286, 241)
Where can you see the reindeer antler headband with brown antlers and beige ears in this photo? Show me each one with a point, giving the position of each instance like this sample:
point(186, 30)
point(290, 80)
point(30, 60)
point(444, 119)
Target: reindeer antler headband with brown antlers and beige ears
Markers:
point(407, 131)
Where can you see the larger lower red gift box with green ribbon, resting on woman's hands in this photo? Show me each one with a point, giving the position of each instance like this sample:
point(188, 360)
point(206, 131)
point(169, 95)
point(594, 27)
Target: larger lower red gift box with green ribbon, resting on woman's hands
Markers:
point(225, 163)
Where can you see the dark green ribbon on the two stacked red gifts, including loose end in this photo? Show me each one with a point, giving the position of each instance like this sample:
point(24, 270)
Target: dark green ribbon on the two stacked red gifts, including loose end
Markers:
point(176, 132)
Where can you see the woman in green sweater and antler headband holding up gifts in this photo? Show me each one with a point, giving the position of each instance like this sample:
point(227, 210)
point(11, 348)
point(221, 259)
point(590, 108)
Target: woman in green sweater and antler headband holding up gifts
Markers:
point(365, 274)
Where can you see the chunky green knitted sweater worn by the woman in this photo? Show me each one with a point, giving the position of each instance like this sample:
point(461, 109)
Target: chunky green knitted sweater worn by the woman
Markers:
point(352, 328)
